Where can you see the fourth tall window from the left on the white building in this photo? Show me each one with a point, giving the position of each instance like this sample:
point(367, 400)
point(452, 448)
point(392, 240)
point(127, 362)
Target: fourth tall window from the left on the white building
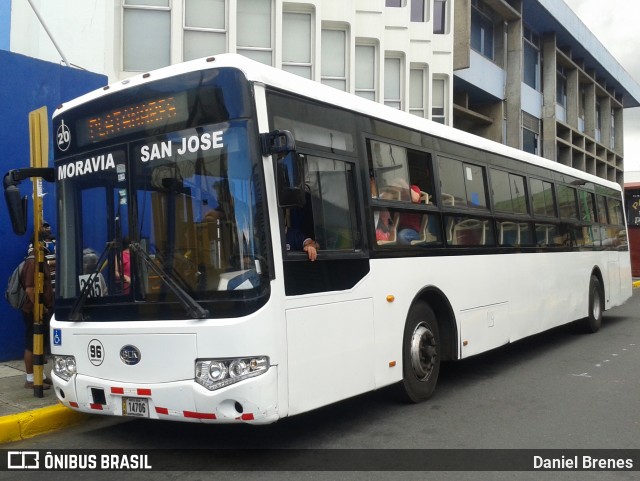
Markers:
point(296, 43)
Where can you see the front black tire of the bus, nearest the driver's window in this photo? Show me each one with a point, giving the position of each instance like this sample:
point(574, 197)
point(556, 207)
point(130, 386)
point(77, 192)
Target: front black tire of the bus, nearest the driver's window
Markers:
point(420, 353)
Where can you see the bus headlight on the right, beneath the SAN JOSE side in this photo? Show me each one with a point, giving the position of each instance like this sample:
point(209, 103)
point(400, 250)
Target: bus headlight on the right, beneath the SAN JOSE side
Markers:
point(216, 373)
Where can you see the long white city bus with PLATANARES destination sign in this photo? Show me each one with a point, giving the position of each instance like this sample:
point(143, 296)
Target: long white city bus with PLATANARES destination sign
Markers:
point(433, 245)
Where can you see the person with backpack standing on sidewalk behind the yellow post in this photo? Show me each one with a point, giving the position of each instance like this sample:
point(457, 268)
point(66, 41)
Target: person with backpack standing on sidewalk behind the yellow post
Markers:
point(28, 282)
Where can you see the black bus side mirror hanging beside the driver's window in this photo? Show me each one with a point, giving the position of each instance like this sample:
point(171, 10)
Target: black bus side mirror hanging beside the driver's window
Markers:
point(289, 167)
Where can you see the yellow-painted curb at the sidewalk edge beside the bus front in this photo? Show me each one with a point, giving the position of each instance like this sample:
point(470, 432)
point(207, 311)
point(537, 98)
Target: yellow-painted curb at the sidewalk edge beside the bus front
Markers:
point(39, 421)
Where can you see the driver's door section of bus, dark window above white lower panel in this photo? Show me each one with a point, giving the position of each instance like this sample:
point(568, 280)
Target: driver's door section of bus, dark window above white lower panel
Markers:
point(329, 325)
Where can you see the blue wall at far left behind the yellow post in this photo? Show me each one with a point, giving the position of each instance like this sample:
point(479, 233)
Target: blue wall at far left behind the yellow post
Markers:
point(27, 84)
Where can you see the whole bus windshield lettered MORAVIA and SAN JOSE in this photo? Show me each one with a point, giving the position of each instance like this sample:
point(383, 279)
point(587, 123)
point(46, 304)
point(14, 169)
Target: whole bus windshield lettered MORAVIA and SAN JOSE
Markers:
point(185, 201)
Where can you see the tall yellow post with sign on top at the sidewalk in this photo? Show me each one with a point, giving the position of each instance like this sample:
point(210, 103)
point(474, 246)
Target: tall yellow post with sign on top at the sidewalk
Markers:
point(39, 142)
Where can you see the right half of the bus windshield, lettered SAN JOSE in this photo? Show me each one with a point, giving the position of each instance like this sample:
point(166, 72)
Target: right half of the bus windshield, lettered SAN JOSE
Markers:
point(197, 209)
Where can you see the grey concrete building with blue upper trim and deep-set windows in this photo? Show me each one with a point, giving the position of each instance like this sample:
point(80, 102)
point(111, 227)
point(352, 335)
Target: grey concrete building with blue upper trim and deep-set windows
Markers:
point(528, 73)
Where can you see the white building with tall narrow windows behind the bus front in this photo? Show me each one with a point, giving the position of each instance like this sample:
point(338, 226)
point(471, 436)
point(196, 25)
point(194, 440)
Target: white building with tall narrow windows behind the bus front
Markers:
point(391, 54)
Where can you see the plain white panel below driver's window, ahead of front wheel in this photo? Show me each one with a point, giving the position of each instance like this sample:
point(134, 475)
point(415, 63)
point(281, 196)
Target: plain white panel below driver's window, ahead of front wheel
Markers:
point(331, 351)
